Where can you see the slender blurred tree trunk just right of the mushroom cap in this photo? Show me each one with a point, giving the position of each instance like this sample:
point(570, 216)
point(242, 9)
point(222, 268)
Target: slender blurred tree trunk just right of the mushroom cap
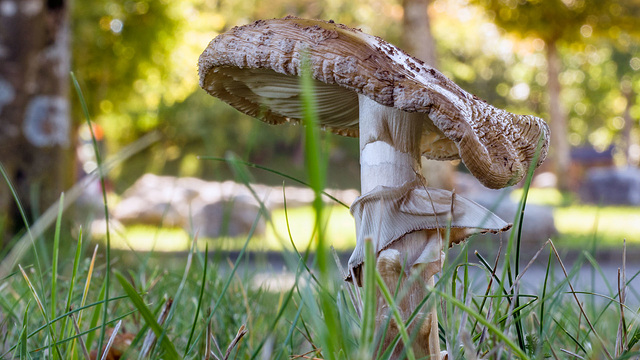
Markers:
point(560, 154)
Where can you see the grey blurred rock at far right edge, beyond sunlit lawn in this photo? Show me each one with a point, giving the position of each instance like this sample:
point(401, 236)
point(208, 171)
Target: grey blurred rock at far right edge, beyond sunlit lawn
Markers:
point(612, 186)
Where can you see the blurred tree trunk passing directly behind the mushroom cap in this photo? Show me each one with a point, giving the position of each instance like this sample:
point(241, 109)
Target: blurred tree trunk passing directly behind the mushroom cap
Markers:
point(418, 41)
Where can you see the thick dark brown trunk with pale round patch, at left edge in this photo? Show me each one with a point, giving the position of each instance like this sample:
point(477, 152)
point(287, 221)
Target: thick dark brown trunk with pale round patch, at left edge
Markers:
point(35, 135)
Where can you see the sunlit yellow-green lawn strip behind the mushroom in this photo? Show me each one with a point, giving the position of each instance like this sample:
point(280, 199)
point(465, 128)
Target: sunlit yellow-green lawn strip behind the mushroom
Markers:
point(577, 225)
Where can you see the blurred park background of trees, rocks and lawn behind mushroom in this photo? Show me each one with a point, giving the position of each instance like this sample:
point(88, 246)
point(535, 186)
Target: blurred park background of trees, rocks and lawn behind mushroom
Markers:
point(575, 63)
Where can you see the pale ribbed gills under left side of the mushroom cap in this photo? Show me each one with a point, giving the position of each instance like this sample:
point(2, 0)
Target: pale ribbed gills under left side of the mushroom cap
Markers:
point(335, 106)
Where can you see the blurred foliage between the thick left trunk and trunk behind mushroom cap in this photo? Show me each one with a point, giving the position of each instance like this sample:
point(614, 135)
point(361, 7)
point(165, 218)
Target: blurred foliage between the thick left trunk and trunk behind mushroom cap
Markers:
point(137, 61)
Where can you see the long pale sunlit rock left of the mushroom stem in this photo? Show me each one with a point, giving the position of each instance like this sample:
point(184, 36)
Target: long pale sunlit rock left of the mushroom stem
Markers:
point(210, 208)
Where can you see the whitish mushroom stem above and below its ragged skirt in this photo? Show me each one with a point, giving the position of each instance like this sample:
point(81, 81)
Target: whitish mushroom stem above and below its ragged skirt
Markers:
point(390, 157)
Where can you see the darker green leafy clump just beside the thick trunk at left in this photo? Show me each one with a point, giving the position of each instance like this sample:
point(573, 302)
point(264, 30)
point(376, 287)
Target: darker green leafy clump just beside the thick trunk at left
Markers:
point(122, 54)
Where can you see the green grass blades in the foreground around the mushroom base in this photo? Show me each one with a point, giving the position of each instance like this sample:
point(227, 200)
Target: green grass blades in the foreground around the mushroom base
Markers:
point(285, 322)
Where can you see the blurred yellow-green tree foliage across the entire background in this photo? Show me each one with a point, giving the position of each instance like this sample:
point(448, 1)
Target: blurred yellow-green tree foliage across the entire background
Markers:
point(137, 61)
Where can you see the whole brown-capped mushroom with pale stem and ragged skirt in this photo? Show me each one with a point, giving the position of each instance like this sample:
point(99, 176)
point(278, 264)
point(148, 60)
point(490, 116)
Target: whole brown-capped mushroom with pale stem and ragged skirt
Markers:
point(401, 109)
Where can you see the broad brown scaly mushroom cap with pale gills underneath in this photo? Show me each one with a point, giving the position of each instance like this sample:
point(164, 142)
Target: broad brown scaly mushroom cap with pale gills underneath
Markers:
point(255, 68)
